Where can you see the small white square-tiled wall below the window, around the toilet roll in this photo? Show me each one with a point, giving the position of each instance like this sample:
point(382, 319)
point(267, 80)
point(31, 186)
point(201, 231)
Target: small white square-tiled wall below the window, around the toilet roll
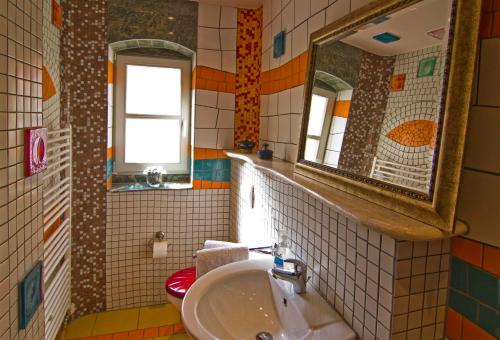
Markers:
point(189, 217)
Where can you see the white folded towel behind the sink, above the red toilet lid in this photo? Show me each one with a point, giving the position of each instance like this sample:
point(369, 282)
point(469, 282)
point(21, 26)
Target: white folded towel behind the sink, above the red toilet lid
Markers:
point(208, 259)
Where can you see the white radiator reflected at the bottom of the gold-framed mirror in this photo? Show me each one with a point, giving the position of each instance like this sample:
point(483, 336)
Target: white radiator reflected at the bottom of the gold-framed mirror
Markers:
point(407, 176)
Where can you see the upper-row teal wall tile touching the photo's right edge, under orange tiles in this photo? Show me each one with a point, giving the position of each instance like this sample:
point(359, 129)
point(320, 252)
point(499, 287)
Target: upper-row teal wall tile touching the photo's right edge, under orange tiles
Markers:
point(484, 287)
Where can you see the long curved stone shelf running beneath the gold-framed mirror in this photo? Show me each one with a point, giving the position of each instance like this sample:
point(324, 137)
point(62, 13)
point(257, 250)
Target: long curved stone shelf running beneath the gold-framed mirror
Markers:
point(371, 215)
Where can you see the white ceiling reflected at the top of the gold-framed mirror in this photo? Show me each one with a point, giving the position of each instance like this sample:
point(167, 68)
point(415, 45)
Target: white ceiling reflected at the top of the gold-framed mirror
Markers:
point(411, 24)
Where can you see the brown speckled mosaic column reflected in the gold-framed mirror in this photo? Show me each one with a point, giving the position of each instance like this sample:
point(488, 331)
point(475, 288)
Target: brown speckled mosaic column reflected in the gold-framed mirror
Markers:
point(368, 106)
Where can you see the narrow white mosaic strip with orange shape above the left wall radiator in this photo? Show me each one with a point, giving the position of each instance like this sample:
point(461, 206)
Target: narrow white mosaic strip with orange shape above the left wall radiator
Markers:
point(52, 65)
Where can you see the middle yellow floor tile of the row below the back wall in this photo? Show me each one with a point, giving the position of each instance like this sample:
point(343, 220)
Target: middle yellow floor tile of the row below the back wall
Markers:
point(116, 321)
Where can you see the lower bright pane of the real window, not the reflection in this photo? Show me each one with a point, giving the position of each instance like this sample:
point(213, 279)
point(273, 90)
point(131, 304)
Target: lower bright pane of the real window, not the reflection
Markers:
point(152, 141)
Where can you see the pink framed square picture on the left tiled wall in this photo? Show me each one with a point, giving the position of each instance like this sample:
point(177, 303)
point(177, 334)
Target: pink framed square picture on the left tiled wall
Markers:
point(36, 150)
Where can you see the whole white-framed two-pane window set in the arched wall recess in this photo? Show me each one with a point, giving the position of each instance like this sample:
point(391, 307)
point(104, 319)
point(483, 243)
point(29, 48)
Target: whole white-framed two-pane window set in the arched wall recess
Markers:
point(152, 114)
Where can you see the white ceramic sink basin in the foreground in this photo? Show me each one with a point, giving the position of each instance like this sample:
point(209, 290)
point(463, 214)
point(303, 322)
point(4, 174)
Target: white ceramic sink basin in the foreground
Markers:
point(242, 299)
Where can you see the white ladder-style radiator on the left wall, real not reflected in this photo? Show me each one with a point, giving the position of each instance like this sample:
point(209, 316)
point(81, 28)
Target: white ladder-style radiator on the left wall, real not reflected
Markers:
point(57, 231)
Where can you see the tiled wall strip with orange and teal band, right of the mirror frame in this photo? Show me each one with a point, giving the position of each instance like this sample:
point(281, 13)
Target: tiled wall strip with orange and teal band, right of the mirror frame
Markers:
point(474, 311)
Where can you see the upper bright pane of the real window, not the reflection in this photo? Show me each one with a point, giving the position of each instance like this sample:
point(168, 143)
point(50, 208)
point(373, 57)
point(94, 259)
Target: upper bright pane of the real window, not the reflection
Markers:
point(153, 90)
